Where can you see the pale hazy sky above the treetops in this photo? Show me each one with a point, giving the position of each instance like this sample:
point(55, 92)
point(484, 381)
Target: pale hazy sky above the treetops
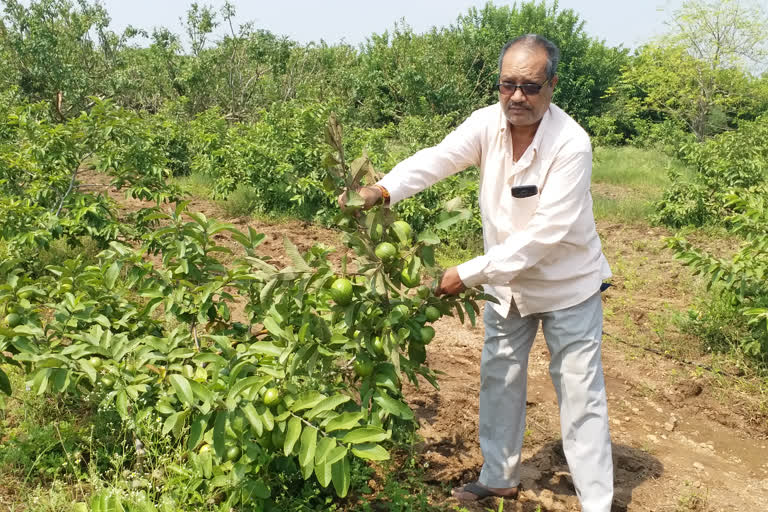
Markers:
point(619, 22)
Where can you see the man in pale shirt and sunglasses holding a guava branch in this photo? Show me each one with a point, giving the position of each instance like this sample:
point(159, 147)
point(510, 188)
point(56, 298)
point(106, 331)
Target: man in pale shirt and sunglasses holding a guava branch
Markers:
point(543, 261)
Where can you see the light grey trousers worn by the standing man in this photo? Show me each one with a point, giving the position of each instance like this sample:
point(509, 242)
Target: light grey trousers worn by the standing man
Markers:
point(573, 336)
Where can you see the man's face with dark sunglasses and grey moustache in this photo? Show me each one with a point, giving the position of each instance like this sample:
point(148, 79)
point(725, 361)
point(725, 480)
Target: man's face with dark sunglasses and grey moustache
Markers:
point(523, 65)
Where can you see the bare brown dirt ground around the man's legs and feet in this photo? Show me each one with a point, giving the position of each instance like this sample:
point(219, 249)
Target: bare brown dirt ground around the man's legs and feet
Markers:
point(668, 453)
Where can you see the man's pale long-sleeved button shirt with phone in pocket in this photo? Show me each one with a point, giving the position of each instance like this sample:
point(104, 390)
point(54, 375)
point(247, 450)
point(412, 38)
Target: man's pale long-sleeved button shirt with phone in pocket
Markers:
point(542, 252)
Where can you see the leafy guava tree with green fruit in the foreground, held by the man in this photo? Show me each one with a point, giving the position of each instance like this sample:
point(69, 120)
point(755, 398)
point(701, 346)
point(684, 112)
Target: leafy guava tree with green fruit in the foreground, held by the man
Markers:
point(255, 370)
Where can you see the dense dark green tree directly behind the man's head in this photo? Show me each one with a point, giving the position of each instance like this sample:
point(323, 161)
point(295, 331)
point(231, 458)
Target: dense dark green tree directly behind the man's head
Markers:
point(453, 69)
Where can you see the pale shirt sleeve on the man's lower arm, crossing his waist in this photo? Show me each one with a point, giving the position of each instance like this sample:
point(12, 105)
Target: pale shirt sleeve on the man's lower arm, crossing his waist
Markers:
point(563, 202)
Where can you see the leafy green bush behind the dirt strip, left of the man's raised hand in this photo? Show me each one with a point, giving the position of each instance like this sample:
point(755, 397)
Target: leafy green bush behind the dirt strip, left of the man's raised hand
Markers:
point(279, 157)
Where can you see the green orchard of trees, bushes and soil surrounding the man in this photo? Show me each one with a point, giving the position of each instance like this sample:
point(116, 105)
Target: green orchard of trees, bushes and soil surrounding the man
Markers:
point(155, 358)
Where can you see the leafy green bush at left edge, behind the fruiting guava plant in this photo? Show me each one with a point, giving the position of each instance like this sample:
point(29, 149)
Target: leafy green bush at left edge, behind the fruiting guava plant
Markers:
point(41, 163)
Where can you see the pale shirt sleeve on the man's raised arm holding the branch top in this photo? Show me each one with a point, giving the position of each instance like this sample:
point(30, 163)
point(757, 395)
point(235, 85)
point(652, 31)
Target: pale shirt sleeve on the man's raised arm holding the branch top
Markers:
point(460, 149)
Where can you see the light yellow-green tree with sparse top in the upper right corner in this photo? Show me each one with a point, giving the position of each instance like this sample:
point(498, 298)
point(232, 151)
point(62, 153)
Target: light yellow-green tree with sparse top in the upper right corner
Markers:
point(700, 76)
